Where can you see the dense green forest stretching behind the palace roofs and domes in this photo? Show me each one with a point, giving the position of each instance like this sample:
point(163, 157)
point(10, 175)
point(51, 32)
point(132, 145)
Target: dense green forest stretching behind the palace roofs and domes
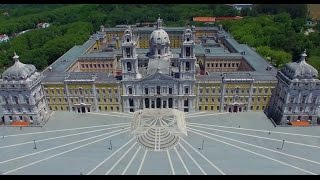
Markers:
point(275, 31)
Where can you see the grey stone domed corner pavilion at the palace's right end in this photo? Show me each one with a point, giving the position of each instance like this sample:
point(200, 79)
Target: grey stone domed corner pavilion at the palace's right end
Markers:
point(296, 99)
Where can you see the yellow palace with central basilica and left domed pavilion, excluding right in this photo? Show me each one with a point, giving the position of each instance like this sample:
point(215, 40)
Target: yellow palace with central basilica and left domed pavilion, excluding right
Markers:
point(133, 68)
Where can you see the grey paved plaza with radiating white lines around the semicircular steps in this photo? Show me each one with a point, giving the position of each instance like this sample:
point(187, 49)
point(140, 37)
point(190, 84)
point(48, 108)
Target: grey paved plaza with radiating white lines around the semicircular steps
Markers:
point(216, 143)
